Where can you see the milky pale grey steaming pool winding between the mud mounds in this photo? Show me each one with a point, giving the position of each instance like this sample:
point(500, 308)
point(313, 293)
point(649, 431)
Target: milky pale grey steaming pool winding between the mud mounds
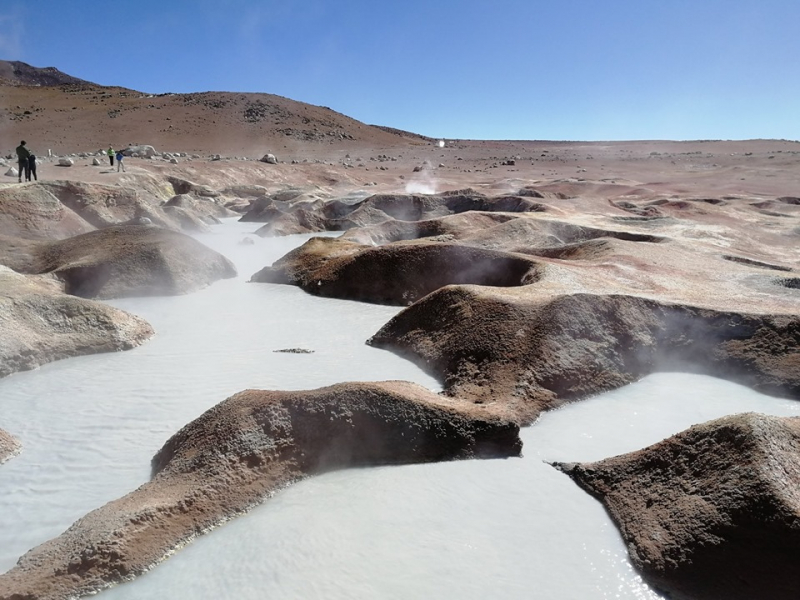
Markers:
point(512, 528)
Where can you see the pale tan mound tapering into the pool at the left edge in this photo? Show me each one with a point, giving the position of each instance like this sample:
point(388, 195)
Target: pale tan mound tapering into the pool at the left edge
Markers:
point(40, 324)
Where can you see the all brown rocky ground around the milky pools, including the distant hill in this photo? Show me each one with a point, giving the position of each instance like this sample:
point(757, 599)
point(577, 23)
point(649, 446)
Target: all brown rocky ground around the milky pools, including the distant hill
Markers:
point(533, 274)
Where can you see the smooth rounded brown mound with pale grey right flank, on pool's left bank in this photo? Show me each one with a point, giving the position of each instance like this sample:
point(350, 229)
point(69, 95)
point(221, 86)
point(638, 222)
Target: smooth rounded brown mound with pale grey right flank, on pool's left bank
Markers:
point(125, 260)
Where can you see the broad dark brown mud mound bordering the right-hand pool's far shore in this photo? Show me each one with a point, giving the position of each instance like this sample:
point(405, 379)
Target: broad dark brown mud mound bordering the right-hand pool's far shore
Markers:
point(527, 352)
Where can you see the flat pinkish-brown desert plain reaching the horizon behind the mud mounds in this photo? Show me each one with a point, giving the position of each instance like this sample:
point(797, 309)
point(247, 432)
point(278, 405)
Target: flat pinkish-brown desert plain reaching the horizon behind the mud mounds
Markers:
point(758, 169)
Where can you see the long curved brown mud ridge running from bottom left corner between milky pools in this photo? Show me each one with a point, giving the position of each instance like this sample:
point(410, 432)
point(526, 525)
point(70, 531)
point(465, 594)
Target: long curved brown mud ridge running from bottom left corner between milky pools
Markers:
point(235, 455)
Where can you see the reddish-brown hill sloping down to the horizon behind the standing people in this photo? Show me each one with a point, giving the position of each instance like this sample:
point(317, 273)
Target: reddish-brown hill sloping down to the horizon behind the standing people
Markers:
point(66, 114)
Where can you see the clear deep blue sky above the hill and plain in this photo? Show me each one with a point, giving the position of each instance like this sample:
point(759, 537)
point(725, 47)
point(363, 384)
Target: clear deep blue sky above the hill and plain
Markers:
point(494, 69)
